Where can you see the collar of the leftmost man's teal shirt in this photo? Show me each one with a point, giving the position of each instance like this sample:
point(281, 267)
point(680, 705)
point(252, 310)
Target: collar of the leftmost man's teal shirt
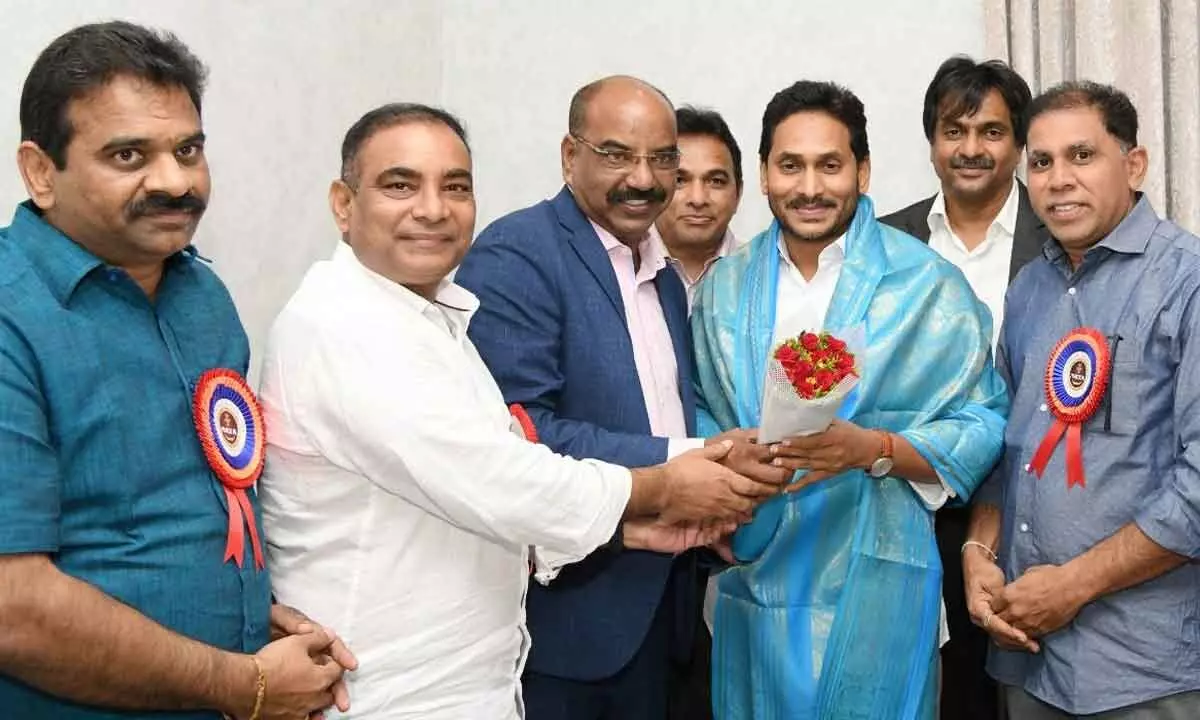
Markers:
point(62, 262)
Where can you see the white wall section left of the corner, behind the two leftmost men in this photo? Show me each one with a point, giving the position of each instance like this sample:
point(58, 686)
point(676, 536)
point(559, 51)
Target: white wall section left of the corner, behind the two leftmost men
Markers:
point(286, 81)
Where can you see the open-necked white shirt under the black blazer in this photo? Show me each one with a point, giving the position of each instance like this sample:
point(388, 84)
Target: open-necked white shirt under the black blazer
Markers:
point(987, 266)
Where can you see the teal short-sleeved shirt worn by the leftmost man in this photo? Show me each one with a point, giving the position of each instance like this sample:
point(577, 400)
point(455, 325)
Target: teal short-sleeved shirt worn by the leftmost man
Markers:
point(100, 465)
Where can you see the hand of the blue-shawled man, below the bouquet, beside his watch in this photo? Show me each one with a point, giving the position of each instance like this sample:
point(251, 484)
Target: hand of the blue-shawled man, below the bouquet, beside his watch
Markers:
point(842, 447)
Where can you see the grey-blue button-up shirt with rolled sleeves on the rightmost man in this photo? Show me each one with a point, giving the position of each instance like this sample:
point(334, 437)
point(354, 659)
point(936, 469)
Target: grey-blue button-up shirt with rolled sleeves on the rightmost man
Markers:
point(1142, 459)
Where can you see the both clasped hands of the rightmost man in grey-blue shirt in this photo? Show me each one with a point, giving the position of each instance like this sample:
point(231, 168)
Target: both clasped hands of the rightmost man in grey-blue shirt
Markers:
point(1016, 614)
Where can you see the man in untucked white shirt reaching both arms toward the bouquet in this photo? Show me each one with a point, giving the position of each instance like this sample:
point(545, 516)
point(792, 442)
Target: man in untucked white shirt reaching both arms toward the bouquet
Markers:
point(399, 502)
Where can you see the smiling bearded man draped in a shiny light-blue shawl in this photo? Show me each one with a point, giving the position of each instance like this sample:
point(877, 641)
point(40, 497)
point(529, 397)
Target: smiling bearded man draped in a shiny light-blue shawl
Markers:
point(835, 609)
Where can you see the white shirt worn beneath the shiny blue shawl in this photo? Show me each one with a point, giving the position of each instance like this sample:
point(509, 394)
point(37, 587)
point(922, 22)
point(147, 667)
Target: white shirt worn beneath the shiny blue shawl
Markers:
point(803, 305)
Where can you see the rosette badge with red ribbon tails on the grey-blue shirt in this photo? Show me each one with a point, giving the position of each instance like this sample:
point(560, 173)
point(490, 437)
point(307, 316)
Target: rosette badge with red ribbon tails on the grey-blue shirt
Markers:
point(1077, 377)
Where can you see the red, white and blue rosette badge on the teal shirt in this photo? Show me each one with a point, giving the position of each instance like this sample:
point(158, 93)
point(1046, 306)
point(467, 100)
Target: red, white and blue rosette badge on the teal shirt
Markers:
point(230, 425)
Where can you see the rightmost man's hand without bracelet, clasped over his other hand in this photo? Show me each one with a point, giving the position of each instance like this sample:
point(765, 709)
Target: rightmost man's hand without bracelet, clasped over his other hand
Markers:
point(1041, 602)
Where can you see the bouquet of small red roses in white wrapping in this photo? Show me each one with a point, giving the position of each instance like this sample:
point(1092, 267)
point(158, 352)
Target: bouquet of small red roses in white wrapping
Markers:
point(808, 379)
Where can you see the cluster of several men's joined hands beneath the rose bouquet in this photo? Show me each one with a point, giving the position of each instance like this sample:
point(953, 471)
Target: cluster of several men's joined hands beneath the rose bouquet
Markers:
point(713, 490)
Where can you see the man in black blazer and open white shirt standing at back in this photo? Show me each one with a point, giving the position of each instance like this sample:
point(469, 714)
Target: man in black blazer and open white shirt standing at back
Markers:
point(981, 221)
